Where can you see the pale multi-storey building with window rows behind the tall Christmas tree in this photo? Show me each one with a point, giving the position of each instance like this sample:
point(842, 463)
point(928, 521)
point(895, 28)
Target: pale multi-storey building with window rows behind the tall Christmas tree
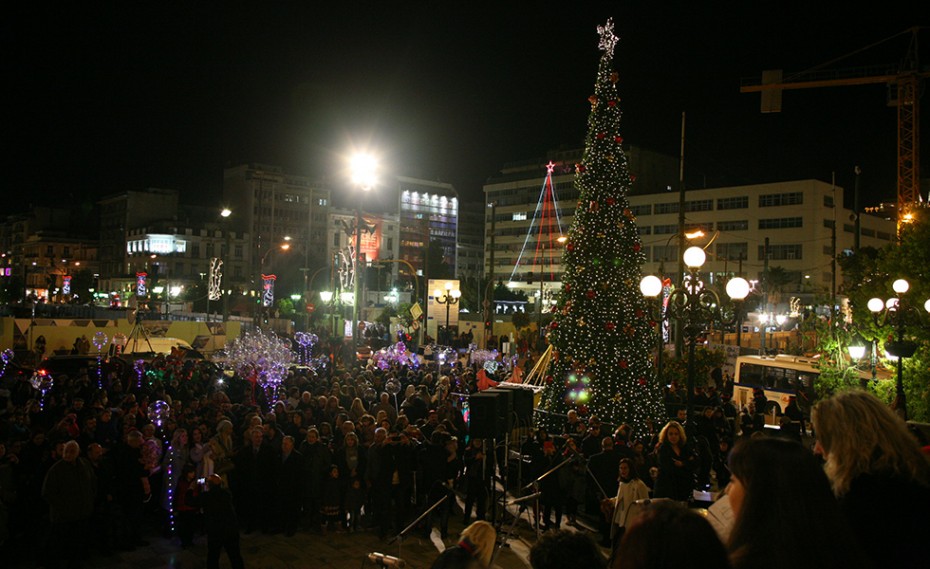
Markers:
point(796, 217)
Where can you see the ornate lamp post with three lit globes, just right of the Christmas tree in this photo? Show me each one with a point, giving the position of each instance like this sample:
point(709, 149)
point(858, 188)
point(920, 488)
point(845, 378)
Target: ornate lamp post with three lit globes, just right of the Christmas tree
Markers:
point(693, 307)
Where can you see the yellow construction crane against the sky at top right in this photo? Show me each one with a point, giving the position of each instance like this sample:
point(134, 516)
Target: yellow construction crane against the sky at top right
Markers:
point(903, 80)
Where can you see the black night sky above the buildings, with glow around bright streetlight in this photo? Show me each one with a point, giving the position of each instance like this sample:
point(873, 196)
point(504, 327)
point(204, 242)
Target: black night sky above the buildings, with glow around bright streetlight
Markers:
point(166, 94)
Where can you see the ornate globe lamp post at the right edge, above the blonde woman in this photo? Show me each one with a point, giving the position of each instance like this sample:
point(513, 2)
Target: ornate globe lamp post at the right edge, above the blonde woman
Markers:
point(899, 313)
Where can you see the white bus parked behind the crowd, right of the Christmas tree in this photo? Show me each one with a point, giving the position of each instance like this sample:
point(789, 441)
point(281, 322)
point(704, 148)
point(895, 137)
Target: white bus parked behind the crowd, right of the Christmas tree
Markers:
point(780, 377)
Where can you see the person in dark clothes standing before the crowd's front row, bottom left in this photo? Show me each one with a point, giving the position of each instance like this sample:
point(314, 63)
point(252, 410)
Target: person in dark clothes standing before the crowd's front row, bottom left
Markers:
point(221, 523)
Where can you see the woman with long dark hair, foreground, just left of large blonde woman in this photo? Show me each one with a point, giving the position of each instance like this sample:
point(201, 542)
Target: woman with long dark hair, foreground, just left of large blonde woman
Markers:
point(786, 515)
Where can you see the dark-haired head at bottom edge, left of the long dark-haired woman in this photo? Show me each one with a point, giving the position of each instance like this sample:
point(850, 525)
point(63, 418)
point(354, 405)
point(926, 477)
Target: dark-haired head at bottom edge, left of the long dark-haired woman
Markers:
point(669, 536)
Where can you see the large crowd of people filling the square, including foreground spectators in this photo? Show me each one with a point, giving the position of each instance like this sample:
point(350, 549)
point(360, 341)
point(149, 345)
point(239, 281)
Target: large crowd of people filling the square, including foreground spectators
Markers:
point(88, 461)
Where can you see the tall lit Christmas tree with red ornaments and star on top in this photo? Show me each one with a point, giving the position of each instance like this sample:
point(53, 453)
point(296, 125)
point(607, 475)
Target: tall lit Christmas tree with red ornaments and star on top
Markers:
point(602, 336)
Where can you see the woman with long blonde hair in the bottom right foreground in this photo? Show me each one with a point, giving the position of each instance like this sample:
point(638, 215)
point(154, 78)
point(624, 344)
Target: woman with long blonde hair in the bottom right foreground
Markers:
point(879, 475)
